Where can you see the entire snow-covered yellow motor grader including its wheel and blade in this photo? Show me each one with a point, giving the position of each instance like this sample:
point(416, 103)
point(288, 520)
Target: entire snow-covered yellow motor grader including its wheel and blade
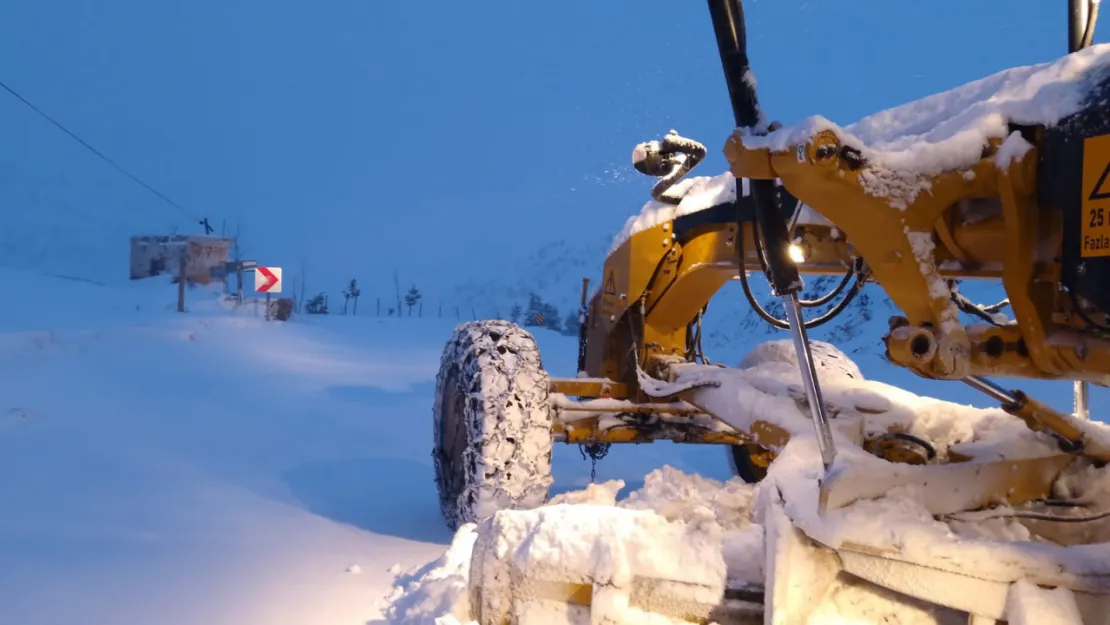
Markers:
point(1004, 179)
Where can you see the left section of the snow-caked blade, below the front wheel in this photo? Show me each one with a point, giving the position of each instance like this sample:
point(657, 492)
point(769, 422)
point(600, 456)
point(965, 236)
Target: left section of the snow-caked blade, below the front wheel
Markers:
point(527, 589)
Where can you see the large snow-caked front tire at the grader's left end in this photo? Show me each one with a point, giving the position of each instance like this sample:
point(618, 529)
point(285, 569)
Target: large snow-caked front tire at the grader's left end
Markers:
point(492, 424)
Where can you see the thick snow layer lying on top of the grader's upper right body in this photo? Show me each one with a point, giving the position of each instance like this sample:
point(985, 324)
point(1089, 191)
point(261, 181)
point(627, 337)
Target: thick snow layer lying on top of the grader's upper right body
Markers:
point(947, 132)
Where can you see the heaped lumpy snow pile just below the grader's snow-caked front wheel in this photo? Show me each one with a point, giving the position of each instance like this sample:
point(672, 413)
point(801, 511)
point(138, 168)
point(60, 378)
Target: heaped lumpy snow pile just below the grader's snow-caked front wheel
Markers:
point(691, 531)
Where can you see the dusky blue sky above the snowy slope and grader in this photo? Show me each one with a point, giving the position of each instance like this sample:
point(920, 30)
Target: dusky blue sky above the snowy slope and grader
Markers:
point(449, 139)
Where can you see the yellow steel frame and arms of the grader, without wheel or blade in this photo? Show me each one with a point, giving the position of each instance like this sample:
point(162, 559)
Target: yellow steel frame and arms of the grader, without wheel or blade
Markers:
point(985, 221)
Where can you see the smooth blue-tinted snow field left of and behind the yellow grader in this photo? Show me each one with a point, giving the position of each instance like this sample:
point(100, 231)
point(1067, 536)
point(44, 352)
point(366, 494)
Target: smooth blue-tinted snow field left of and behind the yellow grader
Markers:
point(210, 468)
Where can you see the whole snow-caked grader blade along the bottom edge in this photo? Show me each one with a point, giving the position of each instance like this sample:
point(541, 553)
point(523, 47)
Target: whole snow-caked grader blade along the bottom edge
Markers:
point(806, 582)
